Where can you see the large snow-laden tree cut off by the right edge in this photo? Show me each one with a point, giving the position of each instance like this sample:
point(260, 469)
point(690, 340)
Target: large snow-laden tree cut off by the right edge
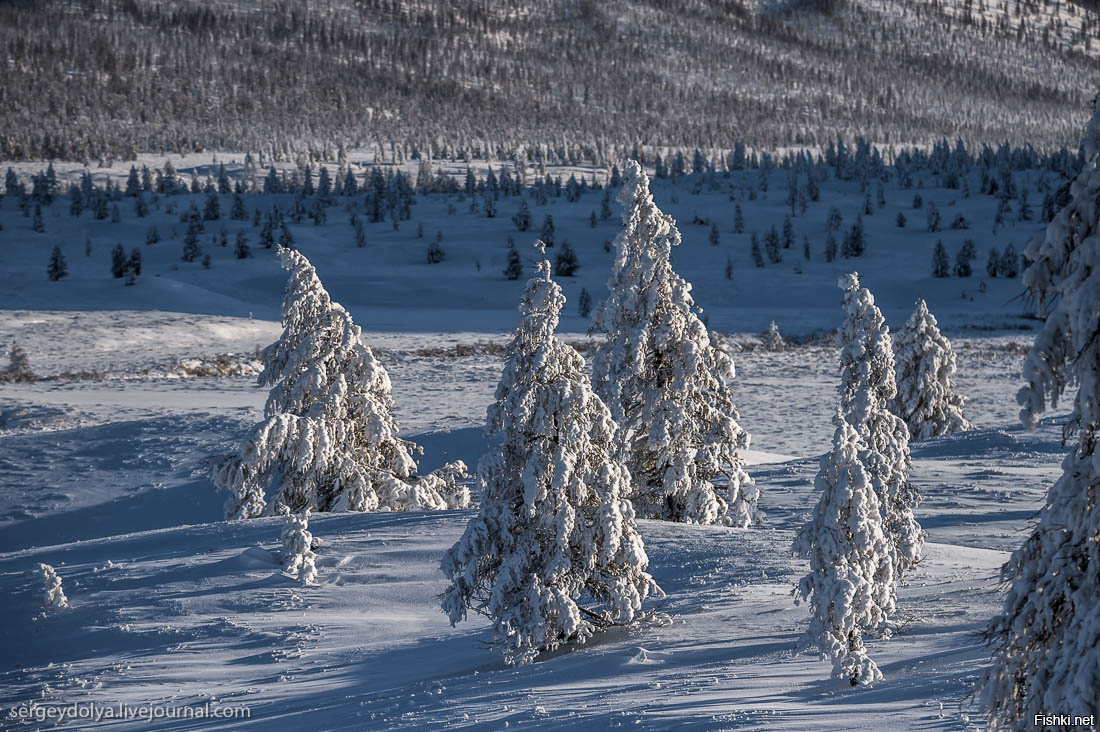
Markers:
point(1047, 640)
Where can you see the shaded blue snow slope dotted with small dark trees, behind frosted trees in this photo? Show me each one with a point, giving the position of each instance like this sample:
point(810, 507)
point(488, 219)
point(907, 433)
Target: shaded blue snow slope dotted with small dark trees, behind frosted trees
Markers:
point(389, 286)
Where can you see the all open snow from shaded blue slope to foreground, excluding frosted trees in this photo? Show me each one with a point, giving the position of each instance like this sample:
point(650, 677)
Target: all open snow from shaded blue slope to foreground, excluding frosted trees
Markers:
point(104, 475)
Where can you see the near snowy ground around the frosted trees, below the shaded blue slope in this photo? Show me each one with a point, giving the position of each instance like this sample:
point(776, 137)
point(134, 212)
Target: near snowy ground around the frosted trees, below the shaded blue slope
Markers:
point(105, 480)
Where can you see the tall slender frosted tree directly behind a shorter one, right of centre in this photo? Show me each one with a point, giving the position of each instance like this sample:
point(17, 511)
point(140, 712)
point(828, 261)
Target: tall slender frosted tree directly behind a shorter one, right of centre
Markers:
point(867, 388)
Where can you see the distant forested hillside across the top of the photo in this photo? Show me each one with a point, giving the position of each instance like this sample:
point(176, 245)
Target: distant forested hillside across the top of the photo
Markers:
point(95, 80)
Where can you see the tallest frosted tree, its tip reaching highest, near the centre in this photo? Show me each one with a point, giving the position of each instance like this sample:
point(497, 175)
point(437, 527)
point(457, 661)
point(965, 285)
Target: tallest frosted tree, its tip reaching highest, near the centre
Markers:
point(666, 384)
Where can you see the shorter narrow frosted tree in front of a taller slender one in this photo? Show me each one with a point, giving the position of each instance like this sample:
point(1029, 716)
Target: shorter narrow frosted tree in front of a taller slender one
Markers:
point(851, 582)
